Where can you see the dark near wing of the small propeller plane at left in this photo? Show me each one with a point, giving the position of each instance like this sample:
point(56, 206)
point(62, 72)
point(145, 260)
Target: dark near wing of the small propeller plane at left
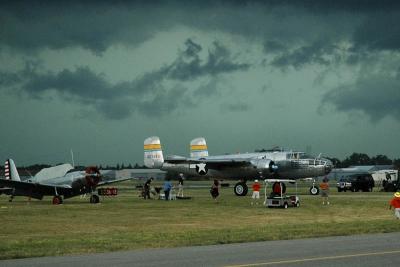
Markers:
point(43, 189)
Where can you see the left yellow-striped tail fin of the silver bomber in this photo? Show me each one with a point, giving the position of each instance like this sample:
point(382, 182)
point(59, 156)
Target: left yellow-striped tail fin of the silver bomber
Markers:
point(153, 156)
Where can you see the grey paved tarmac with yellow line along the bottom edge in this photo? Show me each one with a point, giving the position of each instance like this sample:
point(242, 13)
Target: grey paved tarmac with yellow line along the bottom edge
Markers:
point(359, 250)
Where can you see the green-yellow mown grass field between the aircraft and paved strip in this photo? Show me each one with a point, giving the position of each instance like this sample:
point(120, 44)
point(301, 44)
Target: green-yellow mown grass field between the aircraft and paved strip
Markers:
point(128, 222)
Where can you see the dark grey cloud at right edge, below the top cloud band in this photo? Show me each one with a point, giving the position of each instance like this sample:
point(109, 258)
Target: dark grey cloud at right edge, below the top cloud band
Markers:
point(377, 95)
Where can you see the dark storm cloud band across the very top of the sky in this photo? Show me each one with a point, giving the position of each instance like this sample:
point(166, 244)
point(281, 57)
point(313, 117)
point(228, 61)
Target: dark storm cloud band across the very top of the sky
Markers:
point(296, 26)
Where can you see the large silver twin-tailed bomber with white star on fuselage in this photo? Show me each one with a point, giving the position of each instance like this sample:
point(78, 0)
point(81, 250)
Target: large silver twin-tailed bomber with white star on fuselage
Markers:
point(265, 165)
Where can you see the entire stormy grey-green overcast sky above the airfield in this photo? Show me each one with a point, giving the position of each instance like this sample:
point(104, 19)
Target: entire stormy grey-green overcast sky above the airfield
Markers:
point(99, 77)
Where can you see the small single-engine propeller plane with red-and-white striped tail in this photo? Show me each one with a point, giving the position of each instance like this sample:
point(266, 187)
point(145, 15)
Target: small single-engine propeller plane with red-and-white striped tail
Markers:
point(61, 182)
